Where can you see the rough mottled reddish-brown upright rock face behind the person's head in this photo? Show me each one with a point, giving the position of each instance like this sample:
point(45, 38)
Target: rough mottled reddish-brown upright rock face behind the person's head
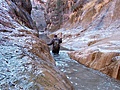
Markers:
point(57, 13)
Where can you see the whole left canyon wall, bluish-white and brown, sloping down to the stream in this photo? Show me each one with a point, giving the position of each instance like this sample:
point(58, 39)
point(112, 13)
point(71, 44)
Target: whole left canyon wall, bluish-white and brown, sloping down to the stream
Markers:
point(26, 63)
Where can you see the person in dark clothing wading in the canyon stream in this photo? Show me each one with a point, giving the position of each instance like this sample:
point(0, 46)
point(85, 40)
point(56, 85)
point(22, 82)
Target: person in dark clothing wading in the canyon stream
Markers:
point(56, 44)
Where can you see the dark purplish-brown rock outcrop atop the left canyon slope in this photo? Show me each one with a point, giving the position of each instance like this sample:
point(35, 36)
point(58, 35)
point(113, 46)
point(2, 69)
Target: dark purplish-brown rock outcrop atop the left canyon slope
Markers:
point(21, 11)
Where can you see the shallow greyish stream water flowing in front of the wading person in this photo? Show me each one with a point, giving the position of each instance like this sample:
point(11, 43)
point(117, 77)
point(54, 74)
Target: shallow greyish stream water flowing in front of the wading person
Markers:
point(84, 78)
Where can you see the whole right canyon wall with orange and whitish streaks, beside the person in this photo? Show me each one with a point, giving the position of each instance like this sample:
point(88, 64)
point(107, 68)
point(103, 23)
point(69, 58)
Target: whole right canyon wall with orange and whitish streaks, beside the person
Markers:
point(93, 31)
